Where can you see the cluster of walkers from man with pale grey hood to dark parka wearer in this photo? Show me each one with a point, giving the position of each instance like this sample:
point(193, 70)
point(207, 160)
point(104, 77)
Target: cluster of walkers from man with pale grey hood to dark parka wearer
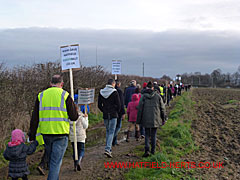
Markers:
point(145, 110)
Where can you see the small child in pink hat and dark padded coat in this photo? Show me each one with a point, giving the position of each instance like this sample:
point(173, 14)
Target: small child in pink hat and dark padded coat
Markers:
point(16, 152)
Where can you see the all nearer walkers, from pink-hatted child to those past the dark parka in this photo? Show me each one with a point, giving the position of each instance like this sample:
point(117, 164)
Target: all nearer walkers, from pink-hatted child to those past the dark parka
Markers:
point(54, 107)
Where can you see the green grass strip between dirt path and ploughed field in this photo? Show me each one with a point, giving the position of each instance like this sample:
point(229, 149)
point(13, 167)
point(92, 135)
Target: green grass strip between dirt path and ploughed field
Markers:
point(175, 143)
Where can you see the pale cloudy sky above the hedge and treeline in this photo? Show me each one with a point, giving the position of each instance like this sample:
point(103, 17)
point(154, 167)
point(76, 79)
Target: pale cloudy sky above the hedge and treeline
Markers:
point(170, 37)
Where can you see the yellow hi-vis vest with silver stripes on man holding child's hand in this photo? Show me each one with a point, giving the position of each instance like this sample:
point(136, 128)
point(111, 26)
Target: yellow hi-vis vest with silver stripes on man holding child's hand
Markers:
point(53, 117)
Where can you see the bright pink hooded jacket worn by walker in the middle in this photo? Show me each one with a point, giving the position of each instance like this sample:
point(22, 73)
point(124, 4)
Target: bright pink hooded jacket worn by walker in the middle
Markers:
point(132, 108)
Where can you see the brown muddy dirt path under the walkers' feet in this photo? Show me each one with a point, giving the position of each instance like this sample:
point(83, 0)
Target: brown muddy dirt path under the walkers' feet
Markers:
point(93, 163)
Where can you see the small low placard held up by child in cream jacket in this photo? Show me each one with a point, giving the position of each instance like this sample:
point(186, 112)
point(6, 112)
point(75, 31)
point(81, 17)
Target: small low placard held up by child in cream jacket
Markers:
point(86, 96)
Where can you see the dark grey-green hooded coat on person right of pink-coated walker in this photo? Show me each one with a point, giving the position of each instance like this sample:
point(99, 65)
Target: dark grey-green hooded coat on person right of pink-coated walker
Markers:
point(151, 110)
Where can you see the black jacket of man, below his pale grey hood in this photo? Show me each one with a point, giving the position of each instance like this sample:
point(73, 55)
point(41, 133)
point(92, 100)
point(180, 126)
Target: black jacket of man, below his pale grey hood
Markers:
point(109, 106)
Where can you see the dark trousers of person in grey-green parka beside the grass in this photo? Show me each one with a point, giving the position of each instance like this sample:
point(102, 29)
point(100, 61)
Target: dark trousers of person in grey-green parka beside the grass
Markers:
point(150, 132)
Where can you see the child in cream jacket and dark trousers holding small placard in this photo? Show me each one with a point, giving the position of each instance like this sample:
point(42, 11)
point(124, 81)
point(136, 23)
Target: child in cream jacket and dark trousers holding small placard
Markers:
point(81, 126)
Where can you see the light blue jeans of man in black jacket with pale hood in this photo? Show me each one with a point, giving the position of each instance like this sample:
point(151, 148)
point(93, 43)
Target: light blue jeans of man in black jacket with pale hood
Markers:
point(110, 130)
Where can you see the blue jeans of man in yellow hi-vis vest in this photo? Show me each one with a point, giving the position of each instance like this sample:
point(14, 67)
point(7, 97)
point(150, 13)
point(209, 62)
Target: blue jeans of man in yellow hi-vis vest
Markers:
point(55, 148)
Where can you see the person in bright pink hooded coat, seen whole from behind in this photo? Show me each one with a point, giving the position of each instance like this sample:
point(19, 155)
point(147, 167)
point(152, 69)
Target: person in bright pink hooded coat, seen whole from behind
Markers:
point(132, 116)
